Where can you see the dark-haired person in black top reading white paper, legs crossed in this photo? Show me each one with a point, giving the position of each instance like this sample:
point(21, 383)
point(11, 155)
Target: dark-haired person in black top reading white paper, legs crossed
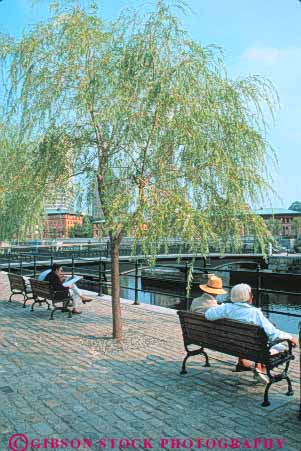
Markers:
point(56, 279)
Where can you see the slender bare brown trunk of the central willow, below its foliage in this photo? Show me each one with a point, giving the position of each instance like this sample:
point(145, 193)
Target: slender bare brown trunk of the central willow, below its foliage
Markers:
point(116, 309)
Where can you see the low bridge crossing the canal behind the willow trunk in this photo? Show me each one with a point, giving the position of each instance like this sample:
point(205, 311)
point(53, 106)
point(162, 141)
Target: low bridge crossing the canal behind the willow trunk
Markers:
point(130, 250)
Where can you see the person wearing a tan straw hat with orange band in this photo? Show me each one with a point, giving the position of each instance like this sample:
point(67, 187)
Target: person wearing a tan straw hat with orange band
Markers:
point(211, 289)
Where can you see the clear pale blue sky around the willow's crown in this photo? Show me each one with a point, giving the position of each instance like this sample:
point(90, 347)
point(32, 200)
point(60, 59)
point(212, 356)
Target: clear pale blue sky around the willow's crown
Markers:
point(259, 37)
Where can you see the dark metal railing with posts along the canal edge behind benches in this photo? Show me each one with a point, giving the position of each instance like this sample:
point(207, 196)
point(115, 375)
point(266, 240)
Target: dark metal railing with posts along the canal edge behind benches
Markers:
point(99, 276)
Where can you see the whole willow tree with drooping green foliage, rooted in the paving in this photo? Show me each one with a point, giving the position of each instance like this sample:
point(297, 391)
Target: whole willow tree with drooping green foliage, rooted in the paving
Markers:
point(178, 148)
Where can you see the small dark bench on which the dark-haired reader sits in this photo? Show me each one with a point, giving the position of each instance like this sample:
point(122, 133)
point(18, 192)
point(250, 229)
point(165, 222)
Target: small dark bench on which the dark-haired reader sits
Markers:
point(42, 292)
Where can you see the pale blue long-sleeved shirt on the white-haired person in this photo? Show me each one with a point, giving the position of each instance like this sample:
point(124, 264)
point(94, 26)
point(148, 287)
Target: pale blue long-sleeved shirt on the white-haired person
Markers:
point(246, 313)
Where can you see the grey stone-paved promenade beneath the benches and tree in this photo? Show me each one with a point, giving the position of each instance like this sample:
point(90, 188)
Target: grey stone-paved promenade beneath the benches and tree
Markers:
point(67, 380)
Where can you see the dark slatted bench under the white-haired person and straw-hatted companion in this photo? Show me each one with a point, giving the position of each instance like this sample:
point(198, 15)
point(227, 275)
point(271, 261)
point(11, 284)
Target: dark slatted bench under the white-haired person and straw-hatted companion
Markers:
point(237, 339)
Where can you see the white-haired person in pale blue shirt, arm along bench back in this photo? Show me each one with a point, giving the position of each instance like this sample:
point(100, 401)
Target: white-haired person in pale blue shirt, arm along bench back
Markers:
point(241, 309)
